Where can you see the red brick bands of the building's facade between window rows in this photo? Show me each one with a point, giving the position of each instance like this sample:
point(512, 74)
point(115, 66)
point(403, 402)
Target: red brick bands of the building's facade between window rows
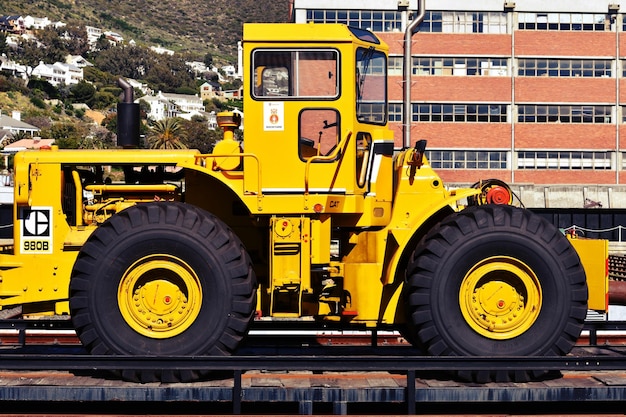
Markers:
point(513, 135)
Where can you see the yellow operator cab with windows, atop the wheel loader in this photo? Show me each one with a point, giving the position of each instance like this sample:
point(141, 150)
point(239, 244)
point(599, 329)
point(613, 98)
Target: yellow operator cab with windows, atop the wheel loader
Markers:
point(317, 102)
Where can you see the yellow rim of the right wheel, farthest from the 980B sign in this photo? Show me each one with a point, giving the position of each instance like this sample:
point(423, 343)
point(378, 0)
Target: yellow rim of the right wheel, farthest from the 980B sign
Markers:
point(500, 298)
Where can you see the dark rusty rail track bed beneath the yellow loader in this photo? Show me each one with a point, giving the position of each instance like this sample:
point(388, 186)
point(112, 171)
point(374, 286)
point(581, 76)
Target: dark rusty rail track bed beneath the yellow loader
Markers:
point(304, 370)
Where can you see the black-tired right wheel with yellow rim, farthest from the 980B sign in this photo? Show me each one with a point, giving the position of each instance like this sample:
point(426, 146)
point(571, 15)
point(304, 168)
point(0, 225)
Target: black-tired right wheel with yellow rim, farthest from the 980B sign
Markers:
point(496, 281)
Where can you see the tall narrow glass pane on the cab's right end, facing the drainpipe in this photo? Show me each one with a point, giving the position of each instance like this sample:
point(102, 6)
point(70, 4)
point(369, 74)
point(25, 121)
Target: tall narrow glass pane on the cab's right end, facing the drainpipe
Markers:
point(371, 86)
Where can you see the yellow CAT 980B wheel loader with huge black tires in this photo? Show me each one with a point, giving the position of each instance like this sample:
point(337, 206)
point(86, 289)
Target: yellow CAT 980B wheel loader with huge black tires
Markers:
point(315, 217)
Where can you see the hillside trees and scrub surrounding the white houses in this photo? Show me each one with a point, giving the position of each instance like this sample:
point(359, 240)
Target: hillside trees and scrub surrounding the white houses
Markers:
point(208, 34)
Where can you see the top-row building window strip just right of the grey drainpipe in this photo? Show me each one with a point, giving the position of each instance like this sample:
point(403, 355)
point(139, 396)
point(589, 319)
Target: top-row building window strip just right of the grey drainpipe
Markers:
point(464, 22)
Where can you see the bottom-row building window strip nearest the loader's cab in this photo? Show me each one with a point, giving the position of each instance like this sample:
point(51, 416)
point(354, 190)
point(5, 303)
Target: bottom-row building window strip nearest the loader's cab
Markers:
point(448, 159)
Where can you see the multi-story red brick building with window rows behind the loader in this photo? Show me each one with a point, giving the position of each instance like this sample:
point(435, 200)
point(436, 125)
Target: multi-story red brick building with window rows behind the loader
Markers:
point(527, 91)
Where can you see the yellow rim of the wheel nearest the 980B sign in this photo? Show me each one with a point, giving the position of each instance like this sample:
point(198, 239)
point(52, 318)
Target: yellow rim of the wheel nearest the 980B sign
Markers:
point(160, 296)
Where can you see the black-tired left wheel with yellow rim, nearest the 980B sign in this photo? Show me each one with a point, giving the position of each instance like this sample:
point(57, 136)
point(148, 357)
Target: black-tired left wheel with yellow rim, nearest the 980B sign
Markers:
point(162, 279)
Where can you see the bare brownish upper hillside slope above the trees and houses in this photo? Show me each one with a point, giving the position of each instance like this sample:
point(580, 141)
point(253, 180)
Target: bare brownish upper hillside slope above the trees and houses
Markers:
point(198, 26)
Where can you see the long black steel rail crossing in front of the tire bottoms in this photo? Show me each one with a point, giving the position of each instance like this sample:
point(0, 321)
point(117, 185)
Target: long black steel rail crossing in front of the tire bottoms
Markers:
point(345, 363)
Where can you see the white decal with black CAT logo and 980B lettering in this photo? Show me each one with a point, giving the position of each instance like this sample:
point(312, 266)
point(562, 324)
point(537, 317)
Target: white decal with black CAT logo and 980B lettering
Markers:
point(35, 225)
